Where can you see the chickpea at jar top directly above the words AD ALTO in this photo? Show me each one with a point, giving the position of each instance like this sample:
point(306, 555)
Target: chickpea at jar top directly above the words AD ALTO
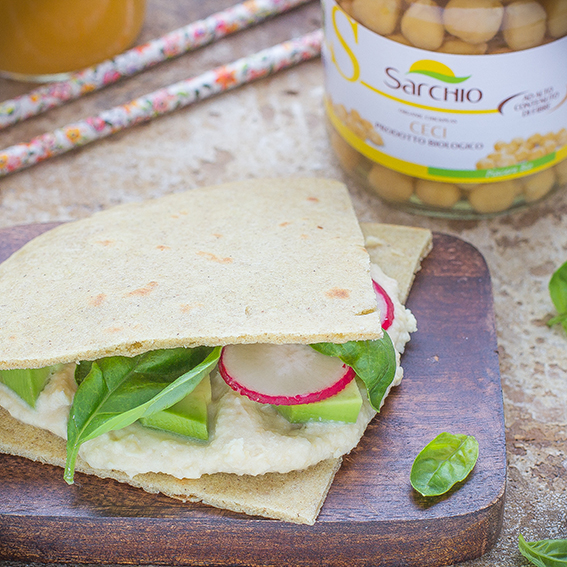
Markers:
point(524, 24)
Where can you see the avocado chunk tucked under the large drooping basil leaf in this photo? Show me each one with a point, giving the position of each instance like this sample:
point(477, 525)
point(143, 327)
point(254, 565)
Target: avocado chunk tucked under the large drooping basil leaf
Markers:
point(188, 417)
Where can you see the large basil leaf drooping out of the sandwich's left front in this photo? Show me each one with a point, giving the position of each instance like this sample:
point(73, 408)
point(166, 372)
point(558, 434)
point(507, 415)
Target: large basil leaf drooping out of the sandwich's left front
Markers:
point(116, 391)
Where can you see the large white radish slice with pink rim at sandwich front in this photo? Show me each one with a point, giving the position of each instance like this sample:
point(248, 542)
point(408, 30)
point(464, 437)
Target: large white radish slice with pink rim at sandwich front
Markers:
point(283, 374)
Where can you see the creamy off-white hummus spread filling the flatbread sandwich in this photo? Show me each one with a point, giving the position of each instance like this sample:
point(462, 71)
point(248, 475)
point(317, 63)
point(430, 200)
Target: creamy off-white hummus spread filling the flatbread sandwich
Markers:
point(247, 437)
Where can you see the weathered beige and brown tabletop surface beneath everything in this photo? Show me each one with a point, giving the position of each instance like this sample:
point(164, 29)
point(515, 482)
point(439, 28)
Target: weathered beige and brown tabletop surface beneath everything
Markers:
point(276, 127)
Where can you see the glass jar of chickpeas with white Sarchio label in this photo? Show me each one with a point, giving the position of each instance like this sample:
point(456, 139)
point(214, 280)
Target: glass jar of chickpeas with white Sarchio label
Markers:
point(451, 108)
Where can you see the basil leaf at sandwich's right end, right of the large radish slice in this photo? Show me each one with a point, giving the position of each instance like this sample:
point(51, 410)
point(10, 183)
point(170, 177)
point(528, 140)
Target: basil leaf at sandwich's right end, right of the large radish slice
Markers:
point(373, 361)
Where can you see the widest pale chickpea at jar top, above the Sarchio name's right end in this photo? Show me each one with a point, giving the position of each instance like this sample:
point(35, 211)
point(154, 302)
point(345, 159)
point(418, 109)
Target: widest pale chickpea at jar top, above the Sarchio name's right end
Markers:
point(473, 21)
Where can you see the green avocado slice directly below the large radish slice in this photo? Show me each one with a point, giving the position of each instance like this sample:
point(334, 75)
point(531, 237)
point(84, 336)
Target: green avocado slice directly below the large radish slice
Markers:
point(344, 406)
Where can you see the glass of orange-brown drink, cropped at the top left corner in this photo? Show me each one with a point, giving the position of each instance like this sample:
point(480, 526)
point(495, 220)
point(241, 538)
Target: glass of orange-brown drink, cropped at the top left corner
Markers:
point(42, 40)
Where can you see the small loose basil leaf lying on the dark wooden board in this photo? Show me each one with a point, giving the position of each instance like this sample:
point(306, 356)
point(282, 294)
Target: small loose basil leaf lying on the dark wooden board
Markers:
point(443, 462)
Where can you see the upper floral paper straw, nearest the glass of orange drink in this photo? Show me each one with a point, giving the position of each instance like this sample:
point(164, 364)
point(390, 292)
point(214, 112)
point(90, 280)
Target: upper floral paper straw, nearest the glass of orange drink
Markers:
point(137, 59)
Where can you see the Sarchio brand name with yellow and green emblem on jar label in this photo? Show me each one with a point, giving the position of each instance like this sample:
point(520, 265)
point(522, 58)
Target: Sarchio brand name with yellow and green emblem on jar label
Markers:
point(441, 86)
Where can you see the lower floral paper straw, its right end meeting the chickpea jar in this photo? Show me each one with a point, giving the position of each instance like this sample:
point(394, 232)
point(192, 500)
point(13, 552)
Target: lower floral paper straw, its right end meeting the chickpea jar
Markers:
point(160, 102)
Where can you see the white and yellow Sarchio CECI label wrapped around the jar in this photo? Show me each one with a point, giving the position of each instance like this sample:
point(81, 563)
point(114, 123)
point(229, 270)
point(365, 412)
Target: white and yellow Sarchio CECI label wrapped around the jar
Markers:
point(454, 118)
